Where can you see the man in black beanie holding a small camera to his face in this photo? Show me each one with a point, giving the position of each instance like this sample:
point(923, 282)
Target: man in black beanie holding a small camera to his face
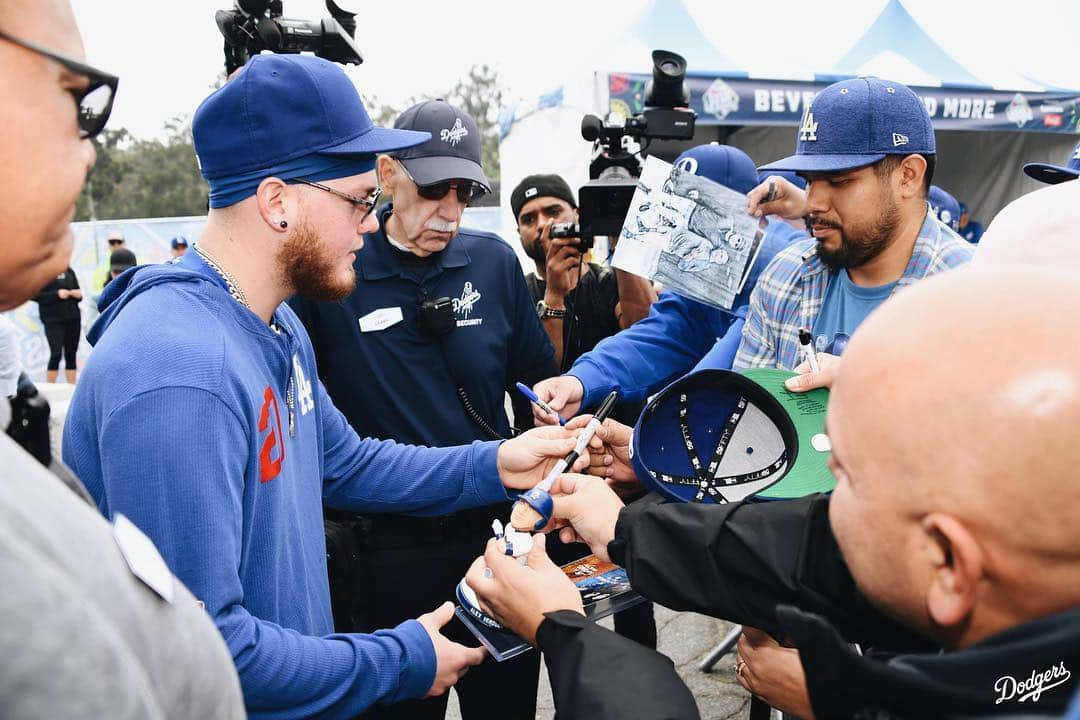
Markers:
point(580, 304)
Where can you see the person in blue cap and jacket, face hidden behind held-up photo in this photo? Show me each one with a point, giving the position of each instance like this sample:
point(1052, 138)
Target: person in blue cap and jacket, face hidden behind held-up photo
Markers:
point(679, 334)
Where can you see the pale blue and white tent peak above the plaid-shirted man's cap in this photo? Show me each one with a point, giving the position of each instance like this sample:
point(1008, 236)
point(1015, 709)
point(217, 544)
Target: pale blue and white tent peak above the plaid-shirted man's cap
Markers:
point(897, 47)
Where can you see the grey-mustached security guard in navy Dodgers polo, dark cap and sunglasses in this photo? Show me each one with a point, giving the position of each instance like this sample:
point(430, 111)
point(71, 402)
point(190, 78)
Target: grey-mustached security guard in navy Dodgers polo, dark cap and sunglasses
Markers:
point(404, 368)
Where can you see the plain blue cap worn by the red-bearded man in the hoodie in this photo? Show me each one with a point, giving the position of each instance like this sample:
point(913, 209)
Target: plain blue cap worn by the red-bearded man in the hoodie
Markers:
point(277, 115)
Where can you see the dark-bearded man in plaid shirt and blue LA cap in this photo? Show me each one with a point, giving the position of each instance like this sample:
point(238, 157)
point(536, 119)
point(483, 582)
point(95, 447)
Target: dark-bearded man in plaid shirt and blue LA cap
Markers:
point(867, 148)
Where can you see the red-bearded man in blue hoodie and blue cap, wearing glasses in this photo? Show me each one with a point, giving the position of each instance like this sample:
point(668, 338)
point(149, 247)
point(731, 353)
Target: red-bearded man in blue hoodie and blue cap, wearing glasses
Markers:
point(201, 416)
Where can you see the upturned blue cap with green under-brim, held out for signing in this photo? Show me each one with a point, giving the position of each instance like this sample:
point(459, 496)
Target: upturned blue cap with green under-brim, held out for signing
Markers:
point(718, 437)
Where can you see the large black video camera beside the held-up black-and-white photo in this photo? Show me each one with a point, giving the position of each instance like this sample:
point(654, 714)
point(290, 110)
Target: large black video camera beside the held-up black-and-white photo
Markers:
point(617, 145)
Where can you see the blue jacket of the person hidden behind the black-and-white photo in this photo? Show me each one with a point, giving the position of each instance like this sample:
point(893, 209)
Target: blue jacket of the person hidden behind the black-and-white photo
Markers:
point(678, 336)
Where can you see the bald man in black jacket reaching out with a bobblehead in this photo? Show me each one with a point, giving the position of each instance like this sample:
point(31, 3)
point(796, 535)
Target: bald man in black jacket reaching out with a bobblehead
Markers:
point(953, 526)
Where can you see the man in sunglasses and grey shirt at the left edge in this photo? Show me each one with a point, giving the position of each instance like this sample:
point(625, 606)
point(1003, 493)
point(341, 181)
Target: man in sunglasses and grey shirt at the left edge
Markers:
point(92, 623)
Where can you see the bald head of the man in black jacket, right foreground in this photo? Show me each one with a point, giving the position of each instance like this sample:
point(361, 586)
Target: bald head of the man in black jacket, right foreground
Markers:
point(953, 423)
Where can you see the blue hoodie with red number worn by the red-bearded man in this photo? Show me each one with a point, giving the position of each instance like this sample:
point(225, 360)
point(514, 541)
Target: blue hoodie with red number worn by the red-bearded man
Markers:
point(213, 434)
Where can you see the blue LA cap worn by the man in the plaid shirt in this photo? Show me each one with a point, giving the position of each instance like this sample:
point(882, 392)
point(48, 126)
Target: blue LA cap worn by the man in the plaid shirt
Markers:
point(858, 123)
